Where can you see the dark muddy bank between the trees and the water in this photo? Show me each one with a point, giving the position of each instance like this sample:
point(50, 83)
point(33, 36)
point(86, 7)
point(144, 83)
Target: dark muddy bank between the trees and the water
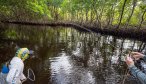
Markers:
point(123, 33)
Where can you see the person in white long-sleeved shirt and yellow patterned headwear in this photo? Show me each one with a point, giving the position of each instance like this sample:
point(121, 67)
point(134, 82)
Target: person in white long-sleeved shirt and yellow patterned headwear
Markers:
point(15, 74)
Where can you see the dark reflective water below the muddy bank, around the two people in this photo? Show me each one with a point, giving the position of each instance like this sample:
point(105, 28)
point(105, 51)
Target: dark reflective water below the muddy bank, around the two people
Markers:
point(68, 56)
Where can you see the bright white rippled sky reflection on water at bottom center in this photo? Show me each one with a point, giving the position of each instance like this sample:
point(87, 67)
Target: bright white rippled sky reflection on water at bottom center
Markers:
point(63, 71)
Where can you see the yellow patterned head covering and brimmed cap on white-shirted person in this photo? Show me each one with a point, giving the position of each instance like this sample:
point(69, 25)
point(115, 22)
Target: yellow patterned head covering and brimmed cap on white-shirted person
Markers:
point(23, 53)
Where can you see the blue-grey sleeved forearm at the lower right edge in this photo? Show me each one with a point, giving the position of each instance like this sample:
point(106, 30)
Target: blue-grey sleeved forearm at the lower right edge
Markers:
point(138, 74)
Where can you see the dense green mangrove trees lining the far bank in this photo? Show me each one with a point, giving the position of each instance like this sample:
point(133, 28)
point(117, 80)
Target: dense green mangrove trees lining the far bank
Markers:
point(122, 13)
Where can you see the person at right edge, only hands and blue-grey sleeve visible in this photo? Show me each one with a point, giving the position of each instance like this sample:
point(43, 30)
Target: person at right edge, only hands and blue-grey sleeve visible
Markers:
point(141, 76)
